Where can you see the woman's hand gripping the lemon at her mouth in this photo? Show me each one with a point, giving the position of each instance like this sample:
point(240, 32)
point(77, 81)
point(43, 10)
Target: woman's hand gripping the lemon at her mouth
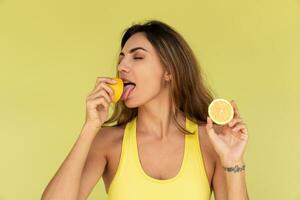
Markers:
point(98, 102)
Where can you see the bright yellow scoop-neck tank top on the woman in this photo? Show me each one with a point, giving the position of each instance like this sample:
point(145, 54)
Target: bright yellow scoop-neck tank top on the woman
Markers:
point(132, 183)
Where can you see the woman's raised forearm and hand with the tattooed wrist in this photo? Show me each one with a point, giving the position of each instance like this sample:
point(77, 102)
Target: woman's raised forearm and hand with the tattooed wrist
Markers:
point(230, 143)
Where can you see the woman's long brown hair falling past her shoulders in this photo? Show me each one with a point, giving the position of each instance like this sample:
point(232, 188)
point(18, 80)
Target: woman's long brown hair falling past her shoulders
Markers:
point(189, 94)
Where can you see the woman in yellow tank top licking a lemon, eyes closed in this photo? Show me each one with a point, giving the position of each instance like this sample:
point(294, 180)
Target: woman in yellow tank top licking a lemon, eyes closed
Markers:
point(163, 145)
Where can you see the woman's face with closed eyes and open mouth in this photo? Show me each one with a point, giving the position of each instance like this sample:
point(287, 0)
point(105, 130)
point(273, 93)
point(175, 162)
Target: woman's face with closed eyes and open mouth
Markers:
point(139, 63)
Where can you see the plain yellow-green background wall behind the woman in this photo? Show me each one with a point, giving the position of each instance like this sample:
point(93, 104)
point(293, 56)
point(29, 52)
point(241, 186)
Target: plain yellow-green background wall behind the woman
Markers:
point(52, 51)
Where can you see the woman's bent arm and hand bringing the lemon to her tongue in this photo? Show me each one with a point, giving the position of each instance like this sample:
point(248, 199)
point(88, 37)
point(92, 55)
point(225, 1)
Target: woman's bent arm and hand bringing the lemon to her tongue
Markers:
point(86, 152)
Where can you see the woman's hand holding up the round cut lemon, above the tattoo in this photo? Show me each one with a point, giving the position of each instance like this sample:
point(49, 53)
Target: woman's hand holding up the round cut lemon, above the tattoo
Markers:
point(230, 143)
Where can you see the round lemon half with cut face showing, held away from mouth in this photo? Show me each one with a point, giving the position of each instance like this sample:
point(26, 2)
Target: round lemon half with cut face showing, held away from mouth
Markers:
point(220, 111)
